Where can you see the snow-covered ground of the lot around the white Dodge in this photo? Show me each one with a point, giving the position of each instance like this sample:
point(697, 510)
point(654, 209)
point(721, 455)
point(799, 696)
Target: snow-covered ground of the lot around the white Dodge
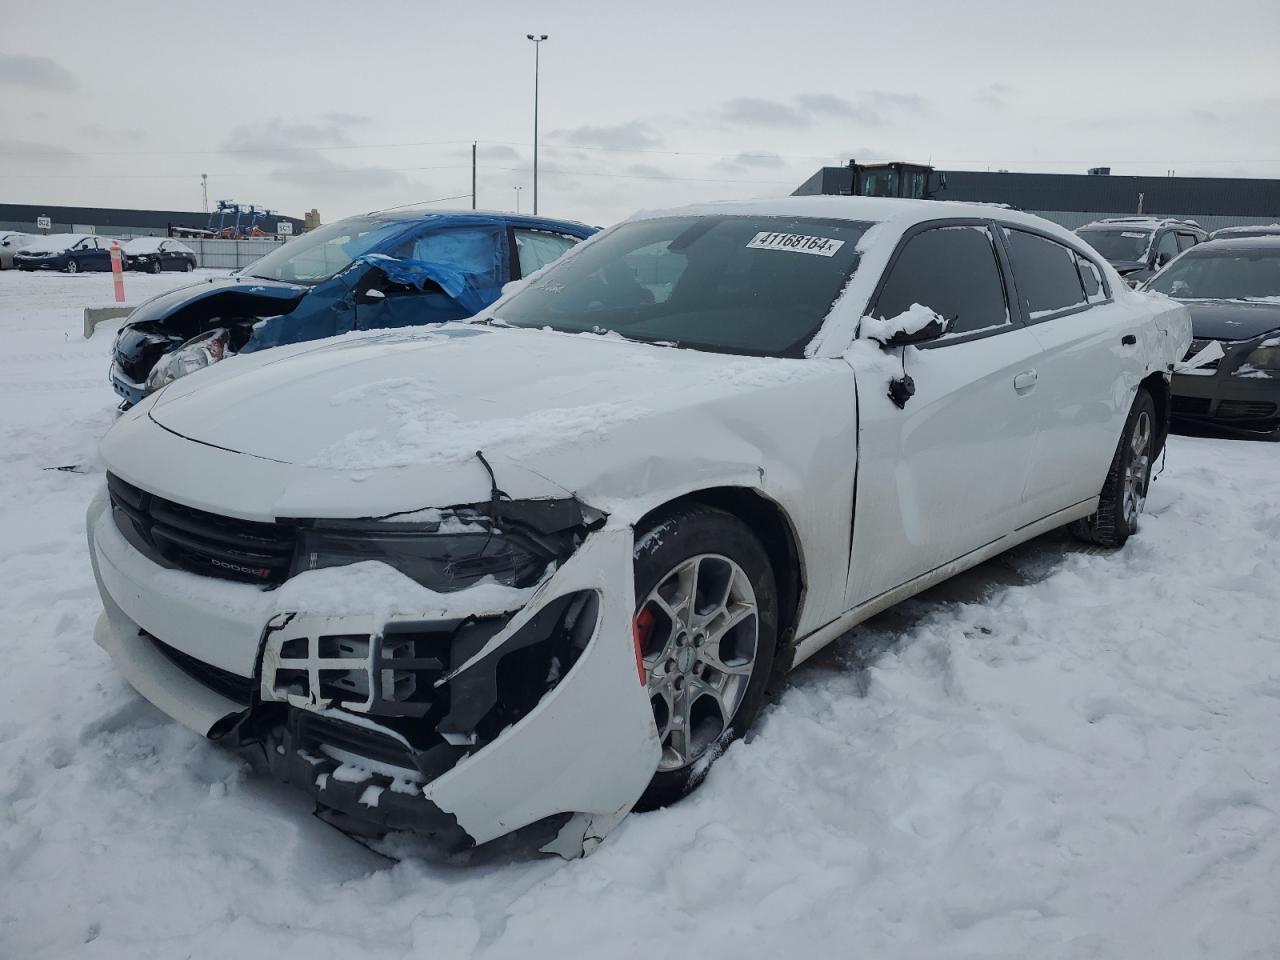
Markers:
point(1066, 753)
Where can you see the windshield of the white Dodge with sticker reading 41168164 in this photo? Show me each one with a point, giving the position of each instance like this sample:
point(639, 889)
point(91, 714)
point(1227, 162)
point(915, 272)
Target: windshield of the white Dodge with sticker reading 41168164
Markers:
point(735, 285)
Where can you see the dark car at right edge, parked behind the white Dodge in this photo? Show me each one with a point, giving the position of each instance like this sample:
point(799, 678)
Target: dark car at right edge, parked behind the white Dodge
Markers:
point(1232, 289)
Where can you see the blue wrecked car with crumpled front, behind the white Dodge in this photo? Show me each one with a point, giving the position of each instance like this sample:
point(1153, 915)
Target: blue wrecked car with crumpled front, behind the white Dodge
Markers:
point(400, 268)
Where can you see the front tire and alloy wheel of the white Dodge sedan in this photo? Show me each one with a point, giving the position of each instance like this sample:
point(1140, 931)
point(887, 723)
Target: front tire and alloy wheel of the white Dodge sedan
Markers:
point(707, 630)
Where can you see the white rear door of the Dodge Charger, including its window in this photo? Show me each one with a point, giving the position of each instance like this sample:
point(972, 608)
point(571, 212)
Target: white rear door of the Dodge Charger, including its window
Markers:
point(1087, 372)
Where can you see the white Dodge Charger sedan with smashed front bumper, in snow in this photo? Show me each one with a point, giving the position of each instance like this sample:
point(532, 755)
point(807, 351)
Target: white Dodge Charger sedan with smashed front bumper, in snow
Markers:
point(538, 569)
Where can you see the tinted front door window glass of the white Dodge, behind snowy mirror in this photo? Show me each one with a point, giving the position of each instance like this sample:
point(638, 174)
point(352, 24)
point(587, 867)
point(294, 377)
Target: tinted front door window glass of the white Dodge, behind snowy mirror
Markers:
point(956, 273)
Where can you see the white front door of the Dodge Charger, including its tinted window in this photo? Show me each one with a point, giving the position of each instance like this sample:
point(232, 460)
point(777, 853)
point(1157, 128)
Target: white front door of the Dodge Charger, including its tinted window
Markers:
point(944, 476)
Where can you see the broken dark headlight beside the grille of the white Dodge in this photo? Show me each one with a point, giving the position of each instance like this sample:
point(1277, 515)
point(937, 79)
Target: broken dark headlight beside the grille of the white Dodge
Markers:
point(449, 556)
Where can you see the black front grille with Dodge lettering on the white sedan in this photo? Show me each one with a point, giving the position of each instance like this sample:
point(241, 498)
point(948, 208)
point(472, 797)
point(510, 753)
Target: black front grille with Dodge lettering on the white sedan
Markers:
point(191, 540)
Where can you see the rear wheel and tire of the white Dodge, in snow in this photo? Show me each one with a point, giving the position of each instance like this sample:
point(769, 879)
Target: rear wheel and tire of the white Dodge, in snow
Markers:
point(1124, 493)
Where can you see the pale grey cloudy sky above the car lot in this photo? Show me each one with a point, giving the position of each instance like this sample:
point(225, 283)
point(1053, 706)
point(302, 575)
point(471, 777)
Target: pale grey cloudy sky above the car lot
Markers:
point(348, 107)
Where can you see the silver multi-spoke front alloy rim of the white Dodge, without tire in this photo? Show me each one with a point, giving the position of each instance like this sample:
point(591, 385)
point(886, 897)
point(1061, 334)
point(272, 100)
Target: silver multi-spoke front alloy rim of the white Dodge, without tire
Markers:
point(698, 634)
